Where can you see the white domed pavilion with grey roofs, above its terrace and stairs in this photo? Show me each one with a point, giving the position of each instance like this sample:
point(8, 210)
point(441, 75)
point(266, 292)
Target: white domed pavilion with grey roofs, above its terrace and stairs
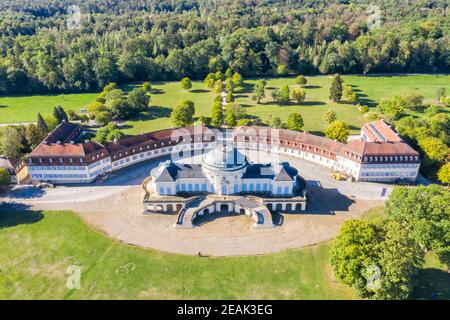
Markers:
point(225, 171)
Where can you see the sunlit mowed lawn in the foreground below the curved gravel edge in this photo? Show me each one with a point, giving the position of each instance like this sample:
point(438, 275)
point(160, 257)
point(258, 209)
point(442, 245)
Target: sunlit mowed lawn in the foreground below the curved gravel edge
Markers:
point(38, 247)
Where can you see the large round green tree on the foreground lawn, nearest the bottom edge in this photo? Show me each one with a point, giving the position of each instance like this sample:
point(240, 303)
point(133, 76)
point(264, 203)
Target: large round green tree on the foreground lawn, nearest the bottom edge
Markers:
point(377, 258)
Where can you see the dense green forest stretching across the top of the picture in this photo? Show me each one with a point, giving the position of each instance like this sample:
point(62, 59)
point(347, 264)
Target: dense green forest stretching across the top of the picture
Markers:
point(157, 40)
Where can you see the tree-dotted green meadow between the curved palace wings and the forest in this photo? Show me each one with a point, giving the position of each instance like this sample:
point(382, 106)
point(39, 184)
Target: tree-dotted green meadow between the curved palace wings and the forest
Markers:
point(371, 89)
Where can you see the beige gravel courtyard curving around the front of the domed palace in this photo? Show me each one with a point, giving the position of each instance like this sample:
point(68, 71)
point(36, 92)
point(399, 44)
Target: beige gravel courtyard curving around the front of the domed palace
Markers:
point(115, 208)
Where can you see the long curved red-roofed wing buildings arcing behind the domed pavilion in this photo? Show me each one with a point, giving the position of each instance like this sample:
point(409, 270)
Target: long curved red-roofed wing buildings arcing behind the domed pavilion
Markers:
point(380, 155)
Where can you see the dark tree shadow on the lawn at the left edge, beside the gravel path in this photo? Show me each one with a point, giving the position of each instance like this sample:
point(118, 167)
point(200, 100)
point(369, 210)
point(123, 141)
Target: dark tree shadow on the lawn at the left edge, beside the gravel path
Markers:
point(14, 214)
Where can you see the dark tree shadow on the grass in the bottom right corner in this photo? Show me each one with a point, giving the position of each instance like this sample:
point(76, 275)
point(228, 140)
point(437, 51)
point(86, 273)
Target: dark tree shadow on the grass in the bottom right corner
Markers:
point(433, 284)
